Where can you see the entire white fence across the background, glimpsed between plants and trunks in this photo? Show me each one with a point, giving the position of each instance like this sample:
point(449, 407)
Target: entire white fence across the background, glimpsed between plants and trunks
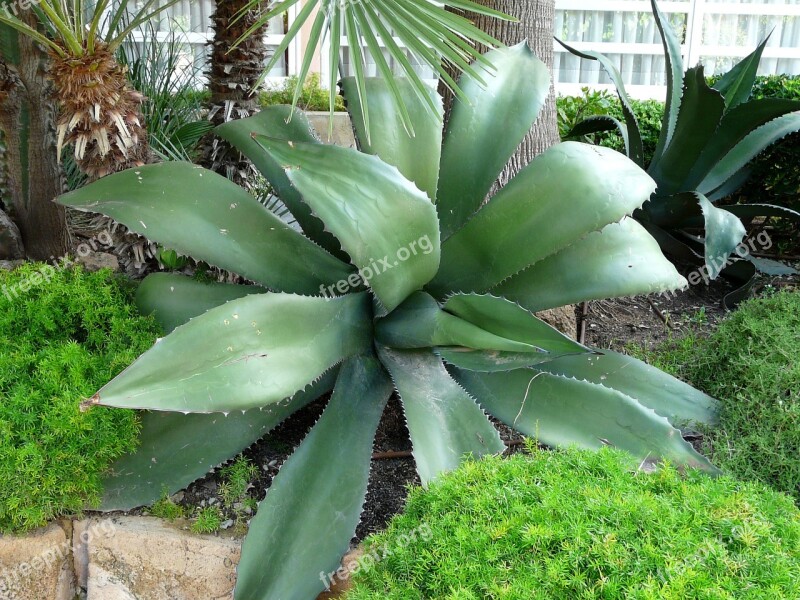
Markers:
point(714, 32)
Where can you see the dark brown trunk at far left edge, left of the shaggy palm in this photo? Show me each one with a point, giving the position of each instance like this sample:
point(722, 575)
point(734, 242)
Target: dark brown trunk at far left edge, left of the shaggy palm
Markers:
point(31, 176)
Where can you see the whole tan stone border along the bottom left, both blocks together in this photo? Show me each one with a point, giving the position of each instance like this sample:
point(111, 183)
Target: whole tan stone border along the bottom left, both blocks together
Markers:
point(121, 558)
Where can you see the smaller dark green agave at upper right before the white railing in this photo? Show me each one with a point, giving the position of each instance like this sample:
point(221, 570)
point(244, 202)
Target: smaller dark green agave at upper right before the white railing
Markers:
point(708, 138)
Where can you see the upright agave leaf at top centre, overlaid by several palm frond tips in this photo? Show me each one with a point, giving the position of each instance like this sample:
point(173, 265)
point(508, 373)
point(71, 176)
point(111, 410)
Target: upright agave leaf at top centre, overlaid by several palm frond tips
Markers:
point(416, 157)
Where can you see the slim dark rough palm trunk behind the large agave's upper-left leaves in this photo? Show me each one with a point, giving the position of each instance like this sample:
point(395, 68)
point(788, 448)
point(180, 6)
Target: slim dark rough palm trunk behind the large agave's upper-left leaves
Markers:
point(232, 76)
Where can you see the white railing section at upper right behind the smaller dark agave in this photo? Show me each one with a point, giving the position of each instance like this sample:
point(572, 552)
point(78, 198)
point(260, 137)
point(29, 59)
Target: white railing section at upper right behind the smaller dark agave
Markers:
point(714, 32)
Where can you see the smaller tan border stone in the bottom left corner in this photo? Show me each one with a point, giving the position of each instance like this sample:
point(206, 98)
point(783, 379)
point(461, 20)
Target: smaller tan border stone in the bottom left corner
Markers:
point(36, 566)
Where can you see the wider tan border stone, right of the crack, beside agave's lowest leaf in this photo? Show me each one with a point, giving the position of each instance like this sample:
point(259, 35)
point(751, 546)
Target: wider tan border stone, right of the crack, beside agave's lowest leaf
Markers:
point(146, 558)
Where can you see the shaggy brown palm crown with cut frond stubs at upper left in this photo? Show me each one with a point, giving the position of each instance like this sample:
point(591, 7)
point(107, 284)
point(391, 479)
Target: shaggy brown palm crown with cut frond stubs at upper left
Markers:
point(100, 115)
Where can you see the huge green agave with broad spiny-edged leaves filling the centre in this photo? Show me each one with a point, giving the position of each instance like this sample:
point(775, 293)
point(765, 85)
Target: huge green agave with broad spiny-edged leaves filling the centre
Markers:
point(403, 280)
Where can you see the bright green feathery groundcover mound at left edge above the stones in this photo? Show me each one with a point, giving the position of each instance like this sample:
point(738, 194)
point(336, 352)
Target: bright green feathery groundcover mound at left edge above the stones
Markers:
point(63, 332)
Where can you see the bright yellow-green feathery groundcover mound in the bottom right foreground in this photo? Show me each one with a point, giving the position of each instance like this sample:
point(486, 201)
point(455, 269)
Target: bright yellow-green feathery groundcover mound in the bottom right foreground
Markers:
point(578, 525)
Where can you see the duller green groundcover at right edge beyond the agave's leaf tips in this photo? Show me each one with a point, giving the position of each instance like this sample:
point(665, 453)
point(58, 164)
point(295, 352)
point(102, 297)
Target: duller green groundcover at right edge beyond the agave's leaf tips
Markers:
point(751, 362)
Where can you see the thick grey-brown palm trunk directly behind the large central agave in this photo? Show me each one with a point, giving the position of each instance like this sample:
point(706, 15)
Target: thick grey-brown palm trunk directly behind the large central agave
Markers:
point(536, 21)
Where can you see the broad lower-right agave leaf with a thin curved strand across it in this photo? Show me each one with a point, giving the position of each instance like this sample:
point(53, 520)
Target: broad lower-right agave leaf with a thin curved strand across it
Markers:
point(563, 411)
